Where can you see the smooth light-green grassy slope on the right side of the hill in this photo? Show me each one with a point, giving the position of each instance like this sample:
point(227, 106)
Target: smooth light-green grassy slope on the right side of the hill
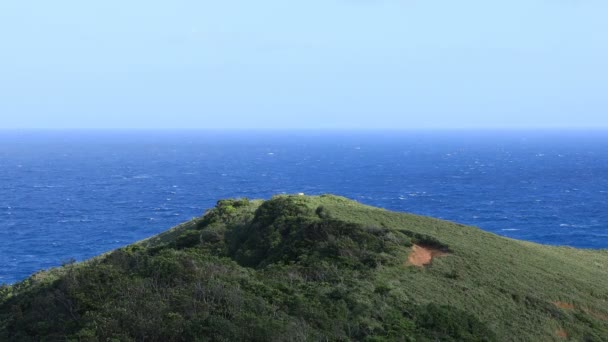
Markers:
point(510, 283)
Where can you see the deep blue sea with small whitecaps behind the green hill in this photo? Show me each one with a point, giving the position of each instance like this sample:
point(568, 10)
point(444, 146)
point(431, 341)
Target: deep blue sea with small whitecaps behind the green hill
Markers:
point(77, 194)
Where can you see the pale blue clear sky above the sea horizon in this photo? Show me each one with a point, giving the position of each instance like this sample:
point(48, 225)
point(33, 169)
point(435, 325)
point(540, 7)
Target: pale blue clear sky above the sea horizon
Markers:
point(303, 64)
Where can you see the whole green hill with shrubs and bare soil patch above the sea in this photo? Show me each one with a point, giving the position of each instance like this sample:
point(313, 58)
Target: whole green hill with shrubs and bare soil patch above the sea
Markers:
point(298, 268)
